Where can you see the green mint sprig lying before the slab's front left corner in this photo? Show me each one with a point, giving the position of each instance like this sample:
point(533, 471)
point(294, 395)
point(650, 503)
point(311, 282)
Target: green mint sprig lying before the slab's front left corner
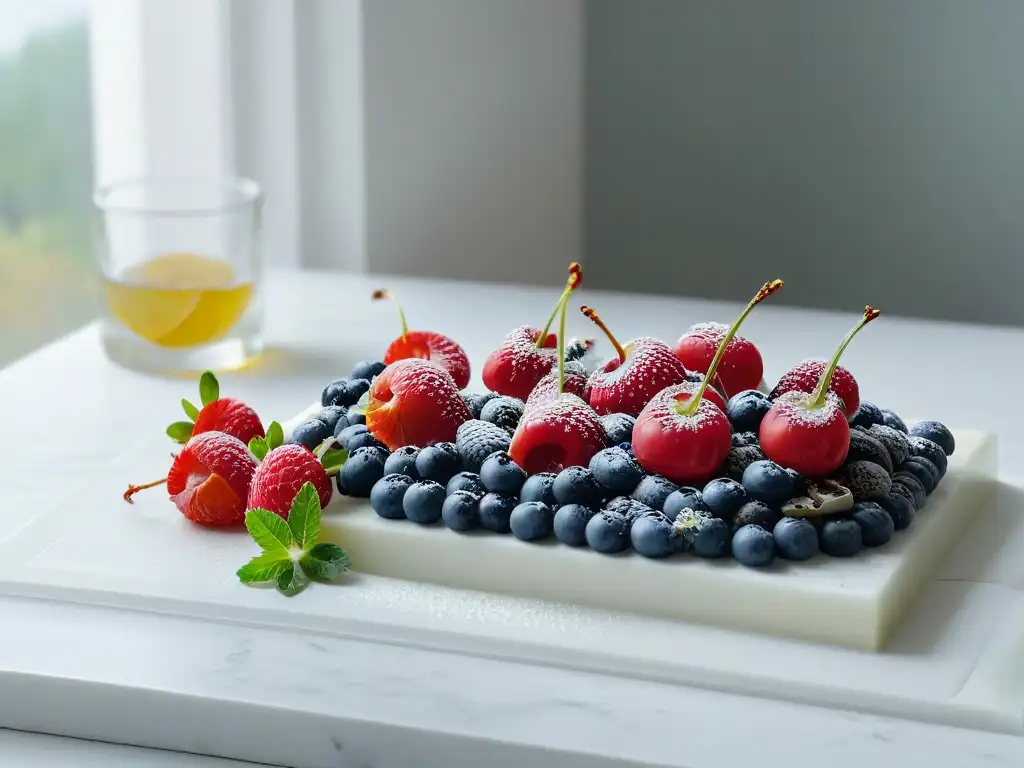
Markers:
point(292, 554)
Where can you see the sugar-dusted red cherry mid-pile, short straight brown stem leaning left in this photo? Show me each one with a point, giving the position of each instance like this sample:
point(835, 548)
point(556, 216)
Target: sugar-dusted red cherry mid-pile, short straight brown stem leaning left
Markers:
point(643, 369)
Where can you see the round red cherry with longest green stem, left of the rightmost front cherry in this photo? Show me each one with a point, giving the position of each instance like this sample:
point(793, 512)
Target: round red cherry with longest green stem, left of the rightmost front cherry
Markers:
point(681, 435)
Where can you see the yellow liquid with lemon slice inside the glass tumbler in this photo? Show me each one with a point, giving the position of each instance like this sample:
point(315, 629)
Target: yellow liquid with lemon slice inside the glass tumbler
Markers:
point(179, 300)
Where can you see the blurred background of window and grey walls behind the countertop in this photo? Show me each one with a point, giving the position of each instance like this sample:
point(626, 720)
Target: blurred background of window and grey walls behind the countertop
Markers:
point(865, 151)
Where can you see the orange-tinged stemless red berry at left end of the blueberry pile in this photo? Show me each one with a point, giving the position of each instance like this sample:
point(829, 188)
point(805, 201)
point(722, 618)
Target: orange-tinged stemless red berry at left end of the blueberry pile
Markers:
point(415, 403)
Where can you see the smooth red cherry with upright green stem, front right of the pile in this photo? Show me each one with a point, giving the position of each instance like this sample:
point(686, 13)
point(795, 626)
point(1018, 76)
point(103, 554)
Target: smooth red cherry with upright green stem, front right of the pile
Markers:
point(810, 432)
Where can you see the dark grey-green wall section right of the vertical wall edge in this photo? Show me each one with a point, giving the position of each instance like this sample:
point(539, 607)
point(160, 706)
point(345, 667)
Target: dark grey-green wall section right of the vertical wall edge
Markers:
point(868, 152)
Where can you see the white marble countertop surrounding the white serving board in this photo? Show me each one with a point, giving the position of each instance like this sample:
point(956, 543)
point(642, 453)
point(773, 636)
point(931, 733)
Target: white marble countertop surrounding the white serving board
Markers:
point(68, 415)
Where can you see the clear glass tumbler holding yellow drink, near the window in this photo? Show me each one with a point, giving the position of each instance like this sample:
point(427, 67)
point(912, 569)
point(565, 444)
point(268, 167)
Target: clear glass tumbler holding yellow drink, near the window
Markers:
point(183, 272)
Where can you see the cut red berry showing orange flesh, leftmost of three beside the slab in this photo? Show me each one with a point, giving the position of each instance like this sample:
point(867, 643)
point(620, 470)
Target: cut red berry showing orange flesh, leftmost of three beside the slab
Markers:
point(210, 478)
